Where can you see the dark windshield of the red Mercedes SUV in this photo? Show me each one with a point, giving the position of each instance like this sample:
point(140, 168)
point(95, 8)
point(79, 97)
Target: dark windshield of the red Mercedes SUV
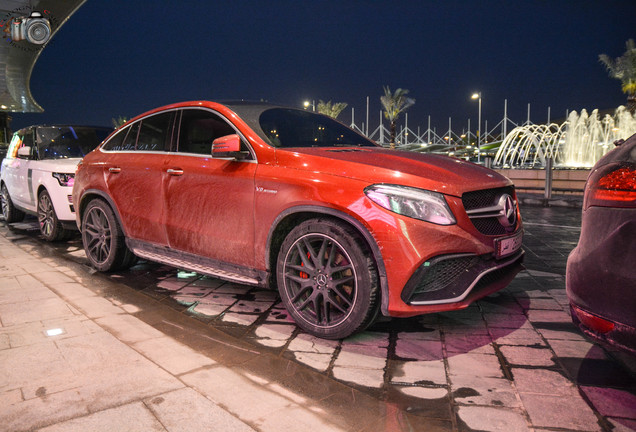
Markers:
point(295, 128)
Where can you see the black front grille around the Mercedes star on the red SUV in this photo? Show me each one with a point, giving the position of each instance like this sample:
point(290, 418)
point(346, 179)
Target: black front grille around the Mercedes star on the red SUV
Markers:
point(483, 199)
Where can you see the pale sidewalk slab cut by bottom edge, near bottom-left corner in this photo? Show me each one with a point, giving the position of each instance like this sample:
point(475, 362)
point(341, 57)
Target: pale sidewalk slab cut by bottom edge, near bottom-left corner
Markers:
point(128, 418)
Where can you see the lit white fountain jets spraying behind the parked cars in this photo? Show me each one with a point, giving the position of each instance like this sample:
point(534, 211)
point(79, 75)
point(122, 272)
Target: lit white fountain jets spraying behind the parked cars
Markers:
point(577, 143)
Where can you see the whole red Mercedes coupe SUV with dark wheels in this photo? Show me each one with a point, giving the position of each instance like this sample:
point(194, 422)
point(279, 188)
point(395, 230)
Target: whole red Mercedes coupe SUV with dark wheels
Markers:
point(279, 197)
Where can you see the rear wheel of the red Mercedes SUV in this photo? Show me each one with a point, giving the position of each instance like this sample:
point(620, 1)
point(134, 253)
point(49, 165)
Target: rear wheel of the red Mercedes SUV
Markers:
point(103, 239)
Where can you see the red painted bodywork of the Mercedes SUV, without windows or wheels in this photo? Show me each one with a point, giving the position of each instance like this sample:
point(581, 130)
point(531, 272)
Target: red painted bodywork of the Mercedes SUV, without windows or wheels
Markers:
point(230, 210)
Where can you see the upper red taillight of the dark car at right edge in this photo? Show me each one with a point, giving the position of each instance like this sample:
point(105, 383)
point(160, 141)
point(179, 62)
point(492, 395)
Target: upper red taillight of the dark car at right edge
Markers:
point(614, 188)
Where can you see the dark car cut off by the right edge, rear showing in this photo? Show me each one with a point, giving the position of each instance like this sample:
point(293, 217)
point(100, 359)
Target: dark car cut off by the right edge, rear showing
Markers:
point(601, 270)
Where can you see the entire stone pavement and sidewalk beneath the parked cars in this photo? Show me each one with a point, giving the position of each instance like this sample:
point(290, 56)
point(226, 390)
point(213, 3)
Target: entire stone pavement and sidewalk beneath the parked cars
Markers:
point(167, 347)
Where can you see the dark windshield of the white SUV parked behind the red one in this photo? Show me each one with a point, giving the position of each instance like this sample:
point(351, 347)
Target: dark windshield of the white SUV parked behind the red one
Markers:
point(63, 142)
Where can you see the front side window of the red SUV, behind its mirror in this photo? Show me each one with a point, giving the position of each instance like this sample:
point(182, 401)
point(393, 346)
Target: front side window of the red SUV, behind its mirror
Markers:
point(199, 128)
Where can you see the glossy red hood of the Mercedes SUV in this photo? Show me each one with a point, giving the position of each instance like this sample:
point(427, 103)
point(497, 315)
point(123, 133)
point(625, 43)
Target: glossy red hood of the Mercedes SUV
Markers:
point(377, 165)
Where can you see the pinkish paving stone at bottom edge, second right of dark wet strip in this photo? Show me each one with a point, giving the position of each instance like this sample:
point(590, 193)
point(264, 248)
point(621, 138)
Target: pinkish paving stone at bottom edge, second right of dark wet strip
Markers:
point(555, 412)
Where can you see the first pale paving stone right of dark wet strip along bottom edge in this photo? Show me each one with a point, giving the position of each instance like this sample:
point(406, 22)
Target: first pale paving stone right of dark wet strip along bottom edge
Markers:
point(492, 419)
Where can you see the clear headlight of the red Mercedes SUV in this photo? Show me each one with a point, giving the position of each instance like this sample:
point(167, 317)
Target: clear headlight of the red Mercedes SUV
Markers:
point(416, 203)
